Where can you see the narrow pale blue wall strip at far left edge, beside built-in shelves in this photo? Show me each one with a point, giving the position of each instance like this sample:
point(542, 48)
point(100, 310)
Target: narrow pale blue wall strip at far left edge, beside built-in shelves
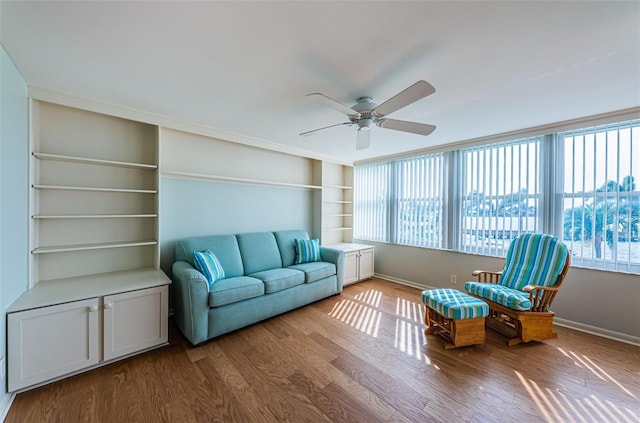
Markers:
point(14, 183)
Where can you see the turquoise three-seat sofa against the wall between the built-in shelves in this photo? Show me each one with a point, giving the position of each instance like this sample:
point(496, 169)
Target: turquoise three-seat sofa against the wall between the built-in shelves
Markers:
point(261, 280)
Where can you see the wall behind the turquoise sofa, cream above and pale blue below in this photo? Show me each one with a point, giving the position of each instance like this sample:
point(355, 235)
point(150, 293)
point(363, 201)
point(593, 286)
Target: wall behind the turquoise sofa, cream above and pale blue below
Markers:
point(207, 204)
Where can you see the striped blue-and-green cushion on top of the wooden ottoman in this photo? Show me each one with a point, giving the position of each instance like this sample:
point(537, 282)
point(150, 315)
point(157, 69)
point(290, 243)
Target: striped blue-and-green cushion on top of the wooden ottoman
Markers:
point(454, 304)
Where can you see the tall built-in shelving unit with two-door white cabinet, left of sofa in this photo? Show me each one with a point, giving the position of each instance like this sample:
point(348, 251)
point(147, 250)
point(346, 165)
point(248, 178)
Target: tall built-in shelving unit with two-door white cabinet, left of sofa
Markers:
point(95, 293)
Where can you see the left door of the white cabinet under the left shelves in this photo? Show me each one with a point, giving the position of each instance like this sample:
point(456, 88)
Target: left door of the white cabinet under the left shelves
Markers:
point(48, 342)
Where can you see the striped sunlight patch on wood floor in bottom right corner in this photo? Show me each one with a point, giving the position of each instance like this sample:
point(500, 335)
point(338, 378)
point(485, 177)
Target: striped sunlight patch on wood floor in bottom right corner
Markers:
point(555, 406)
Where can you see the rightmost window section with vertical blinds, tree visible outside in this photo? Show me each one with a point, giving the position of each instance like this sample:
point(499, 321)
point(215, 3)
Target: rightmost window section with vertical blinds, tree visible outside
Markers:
point(600, 197)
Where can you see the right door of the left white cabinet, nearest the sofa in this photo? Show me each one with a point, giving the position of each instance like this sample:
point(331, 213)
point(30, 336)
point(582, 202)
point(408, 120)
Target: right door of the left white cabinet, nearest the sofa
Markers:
point(134, 321)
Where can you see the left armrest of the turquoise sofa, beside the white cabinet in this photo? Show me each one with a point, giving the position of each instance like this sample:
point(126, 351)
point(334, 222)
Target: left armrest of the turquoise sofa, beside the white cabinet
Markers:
point(191, 301)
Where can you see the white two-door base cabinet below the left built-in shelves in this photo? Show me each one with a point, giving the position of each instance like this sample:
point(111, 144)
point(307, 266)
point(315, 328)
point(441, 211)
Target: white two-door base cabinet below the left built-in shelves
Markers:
point(51, 341)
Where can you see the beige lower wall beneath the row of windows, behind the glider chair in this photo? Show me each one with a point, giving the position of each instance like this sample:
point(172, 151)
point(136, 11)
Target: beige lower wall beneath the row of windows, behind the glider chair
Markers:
point(596, 301)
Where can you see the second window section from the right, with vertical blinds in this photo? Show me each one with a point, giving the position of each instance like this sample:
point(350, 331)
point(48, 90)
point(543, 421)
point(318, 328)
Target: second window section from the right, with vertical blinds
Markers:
point(500, 194)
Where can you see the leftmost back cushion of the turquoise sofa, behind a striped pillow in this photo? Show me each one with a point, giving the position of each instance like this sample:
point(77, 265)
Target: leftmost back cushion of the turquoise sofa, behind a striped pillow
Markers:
point(225, 248)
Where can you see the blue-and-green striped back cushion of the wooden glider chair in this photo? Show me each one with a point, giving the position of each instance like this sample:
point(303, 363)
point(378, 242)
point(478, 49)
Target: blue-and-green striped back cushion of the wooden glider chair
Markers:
point(533, 259)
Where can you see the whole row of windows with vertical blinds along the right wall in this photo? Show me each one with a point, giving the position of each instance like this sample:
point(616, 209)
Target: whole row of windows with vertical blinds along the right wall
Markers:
point(580, 185)
